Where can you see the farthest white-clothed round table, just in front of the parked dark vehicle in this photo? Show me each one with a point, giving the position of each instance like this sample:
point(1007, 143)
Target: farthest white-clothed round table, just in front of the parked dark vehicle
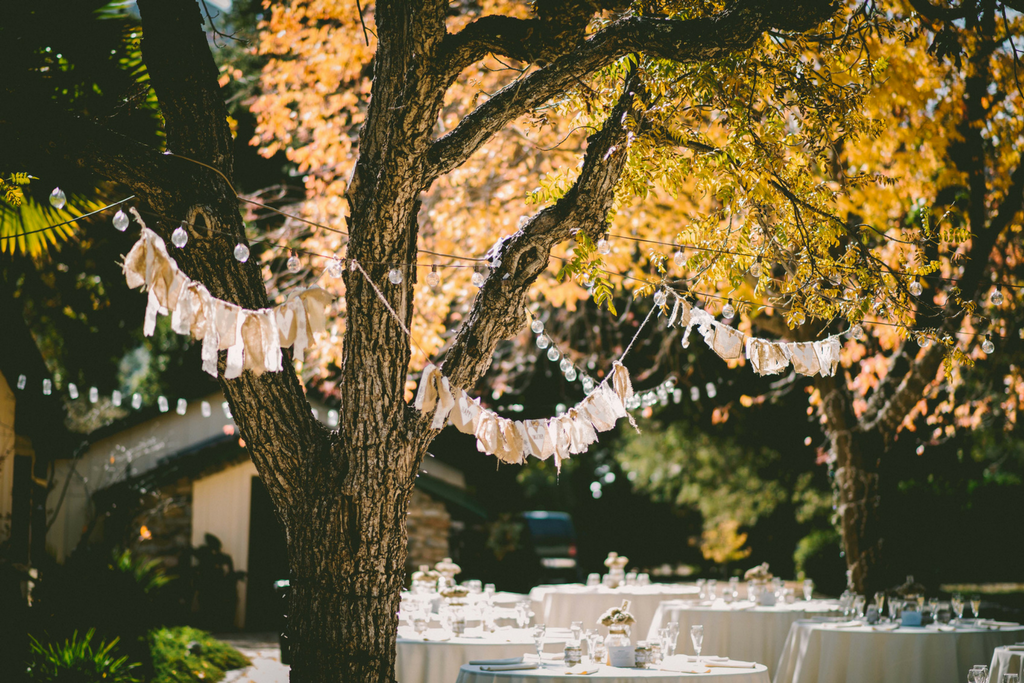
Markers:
point(561, 606)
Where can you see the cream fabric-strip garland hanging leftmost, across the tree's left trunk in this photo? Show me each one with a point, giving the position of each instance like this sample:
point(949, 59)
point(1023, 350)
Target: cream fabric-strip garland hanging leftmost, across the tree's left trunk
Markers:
point(253, 339)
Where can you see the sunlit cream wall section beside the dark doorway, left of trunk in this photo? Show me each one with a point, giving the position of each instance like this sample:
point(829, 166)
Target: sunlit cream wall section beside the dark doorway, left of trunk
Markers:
point(221, 505)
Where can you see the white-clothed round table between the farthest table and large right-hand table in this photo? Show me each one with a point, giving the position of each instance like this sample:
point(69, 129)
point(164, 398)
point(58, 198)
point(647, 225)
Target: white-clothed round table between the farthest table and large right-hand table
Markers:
point(741, 630)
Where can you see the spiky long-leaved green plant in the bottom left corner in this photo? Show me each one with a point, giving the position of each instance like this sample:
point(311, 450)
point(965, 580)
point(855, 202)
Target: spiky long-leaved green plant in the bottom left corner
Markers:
point(77, 662)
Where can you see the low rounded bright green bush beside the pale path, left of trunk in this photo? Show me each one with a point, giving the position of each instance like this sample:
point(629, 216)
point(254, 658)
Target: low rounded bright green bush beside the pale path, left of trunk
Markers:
point(185, 655)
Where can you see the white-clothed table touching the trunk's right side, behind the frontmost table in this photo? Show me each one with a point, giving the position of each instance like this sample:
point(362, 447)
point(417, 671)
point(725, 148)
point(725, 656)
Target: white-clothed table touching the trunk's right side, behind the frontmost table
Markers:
point(438, 661)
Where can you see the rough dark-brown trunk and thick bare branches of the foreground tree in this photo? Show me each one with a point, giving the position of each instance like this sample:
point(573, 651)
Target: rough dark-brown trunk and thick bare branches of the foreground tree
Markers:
point(343, 496)
